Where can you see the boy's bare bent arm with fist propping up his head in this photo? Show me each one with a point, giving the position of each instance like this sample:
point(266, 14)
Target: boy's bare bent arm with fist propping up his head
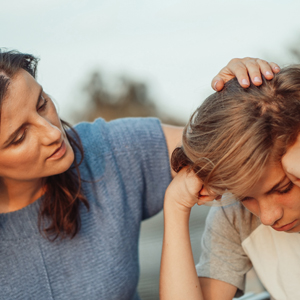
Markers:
point(178, 277)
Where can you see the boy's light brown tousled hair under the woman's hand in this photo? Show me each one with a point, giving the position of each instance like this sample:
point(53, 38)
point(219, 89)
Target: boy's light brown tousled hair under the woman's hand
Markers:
point(233, 135)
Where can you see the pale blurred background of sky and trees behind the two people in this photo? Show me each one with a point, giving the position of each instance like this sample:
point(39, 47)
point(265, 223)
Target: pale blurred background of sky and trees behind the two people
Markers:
point(146, 58)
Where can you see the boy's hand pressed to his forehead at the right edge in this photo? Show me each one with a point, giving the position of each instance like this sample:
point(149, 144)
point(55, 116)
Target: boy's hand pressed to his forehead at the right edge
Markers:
point(291, 162)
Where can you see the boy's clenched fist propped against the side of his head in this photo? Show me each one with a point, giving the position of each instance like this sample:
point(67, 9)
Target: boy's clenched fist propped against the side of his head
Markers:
point(186, 189)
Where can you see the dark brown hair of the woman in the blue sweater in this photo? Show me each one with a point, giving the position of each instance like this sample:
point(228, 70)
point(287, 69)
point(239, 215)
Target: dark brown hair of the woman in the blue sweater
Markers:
point(60, 208)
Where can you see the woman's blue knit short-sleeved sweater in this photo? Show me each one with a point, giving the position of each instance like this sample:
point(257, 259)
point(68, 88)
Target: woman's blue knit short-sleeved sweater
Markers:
point(126, 168)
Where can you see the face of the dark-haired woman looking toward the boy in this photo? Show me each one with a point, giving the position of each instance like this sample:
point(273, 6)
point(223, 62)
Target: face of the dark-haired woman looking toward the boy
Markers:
point(33, 144)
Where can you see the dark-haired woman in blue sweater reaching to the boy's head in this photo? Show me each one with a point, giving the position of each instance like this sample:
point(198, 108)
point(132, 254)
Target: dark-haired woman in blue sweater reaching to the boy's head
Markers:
point(72, 200)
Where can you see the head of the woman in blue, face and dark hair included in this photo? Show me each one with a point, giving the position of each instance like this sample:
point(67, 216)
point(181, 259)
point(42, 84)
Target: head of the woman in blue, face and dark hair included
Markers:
point(35, 146)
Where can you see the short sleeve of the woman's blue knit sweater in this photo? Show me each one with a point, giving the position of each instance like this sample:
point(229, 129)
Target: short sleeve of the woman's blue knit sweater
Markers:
point(133, 156)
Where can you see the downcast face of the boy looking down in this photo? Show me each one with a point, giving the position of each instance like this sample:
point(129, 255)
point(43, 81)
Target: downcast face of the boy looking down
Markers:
point(275, 200)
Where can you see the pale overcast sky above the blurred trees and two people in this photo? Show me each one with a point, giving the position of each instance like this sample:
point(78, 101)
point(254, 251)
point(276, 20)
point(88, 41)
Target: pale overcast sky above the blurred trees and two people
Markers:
point(178, 46)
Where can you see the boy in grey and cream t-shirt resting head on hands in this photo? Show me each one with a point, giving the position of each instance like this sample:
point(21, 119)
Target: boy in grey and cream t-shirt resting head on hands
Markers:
point(236, 142)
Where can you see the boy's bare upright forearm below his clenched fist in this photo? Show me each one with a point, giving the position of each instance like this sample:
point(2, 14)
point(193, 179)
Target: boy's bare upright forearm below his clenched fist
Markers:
point(178, 277)
